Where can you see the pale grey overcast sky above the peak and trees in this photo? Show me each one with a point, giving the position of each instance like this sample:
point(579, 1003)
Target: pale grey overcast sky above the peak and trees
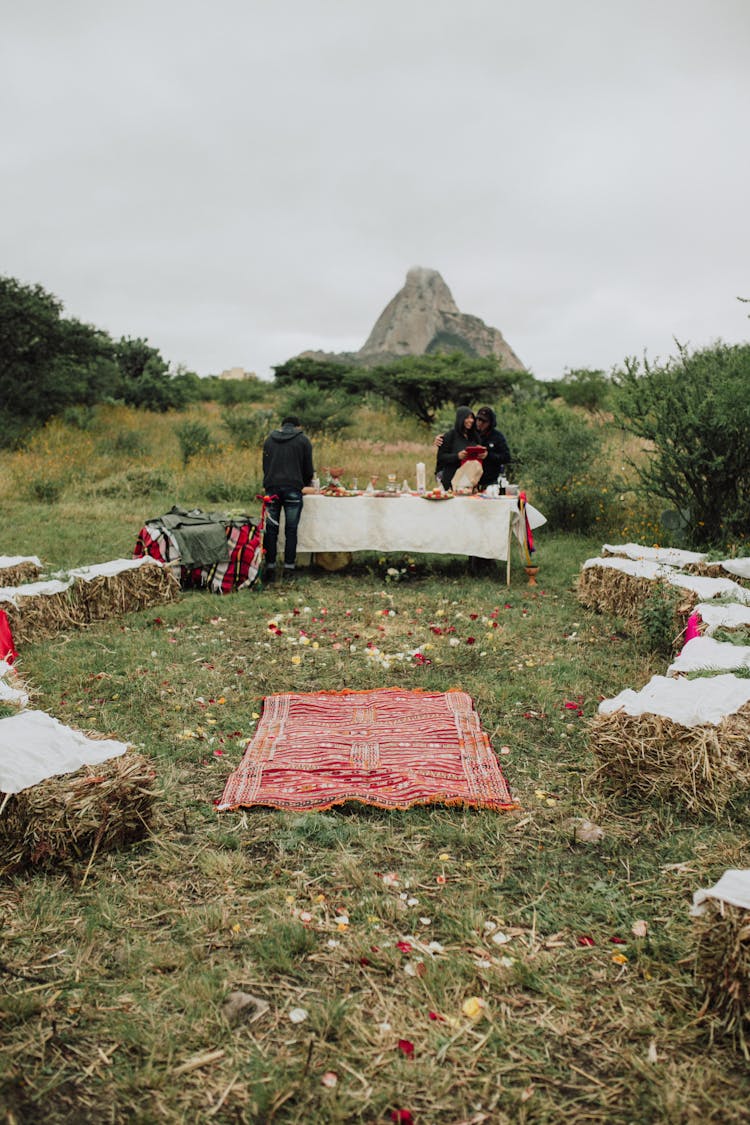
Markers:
point(245, 179)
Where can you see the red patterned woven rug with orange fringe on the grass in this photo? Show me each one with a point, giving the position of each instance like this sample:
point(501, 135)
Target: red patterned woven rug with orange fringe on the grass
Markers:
point(392, 748)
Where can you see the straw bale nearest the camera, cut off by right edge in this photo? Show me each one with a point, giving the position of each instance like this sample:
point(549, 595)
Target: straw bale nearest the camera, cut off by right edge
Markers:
point(722, 961)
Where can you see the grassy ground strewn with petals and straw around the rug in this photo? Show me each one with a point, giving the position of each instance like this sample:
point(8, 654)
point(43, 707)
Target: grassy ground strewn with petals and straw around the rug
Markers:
point(436, 966)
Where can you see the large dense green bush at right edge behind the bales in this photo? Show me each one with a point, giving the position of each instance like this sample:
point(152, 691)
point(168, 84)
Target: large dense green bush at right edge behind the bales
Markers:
point(694, 417)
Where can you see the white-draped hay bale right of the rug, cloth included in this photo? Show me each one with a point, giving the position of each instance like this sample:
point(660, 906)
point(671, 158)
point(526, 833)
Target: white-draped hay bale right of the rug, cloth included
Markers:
point(697, 760)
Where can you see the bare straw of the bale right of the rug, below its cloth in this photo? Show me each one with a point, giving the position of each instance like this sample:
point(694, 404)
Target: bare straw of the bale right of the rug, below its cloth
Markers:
point(652, 758)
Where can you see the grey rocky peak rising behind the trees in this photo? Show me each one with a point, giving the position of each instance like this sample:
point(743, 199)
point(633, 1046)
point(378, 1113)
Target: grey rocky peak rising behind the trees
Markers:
point(423, 319)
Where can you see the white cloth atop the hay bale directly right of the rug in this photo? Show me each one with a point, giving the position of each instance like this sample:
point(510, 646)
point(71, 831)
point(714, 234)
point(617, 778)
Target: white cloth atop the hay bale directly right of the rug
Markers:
point(689, 703)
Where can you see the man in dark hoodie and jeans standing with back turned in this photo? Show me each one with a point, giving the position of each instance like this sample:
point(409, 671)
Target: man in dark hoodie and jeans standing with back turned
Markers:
point(287, 470)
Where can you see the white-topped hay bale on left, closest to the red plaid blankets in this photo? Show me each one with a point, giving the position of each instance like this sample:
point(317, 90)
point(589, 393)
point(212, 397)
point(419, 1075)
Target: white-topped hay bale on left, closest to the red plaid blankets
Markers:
point(122, 587)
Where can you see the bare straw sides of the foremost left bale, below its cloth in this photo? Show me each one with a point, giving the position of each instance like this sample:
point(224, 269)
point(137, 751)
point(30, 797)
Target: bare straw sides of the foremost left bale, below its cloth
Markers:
point(69, 820)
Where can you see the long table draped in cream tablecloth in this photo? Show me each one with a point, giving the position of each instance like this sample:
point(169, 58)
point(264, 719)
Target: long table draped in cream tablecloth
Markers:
point(478, 526)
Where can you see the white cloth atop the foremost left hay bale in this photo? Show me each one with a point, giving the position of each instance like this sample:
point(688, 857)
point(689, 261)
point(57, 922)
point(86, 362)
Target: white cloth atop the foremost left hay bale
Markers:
point(35, 746)
